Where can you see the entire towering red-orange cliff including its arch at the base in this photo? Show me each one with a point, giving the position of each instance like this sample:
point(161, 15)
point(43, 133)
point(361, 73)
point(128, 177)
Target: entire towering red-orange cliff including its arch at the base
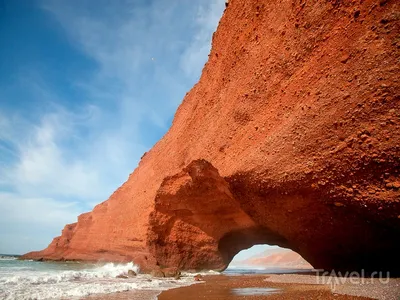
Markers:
point(291, 137)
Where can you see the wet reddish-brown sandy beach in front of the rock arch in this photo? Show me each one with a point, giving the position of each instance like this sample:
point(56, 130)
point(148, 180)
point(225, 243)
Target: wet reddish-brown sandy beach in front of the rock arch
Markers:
point(267, 286)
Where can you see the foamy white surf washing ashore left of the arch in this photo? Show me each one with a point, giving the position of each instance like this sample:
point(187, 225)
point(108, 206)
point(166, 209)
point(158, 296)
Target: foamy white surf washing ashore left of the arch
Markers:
point(75, 284)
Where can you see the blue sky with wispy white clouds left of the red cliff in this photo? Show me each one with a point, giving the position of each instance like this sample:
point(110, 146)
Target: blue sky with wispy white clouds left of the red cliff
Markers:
point(86, 87)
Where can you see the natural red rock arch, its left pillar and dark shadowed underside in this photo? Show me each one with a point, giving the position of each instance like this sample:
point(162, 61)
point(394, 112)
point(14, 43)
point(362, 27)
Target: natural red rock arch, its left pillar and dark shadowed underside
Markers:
point(202, 220)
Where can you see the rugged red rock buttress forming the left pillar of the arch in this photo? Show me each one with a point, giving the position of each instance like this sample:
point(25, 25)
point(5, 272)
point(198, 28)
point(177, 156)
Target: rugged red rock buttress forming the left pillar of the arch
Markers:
point(195, 219)
